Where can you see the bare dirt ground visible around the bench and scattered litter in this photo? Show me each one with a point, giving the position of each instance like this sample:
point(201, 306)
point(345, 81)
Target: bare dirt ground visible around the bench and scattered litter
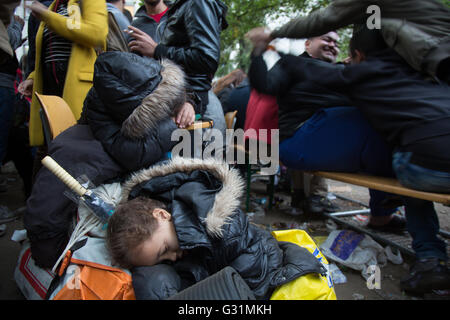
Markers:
point(355, 288)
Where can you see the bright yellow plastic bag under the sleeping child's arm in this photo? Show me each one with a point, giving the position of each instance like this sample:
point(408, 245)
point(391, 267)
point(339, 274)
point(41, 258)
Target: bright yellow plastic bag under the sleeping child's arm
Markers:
point(308, 287)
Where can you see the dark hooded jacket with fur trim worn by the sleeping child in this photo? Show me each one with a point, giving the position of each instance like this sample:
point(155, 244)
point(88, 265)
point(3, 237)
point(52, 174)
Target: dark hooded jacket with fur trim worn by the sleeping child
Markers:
point(203, 197)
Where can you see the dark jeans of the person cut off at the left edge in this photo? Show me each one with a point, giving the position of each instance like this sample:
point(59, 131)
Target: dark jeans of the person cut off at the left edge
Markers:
point(7, 99)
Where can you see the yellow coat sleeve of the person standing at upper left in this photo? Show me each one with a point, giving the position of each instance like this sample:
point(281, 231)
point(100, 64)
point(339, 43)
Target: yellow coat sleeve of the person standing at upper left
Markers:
point(87, 26)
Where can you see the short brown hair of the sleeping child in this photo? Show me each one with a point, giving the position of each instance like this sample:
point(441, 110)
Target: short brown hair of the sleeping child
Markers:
point(131, 224)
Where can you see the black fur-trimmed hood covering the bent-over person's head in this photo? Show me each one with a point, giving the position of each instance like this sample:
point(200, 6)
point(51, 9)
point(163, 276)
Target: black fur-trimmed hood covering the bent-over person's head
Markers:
point(138, 92)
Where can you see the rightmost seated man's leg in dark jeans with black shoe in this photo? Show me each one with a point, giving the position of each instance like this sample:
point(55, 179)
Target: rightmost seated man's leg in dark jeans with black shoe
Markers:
point(430, 272)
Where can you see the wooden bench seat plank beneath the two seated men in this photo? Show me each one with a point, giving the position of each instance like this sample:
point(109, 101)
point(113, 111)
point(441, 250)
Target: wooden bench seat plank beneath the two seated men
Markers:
point(383, 184)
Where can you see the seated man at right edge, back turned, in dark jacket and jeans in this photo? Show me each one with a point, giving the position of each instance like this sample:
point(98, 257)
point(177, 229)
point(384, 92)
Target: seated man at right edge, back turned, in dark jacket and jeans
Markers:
point(413, 116)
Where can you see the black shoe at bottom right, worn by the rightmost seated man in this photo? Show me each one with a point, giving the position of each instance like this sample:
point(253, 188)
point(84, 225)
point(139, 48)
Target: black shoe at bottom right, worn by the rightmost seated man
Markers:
point(426, 276)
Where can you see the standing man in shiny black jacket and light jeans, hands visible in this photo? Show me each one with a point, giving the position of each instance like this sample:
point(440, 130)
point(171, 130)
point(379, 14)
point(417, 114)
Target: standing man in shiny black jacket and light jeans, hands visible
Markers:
point(191, 38)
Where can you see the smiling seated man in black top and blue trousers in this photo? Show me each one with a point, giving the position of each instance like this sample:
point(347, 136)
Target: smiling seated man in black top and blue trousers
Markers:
point(319, 127)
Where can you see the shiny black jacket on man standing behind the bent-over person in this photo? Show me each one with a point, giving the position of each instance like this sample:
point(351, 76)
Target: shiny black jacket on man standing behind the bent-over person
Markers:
point(192, 39)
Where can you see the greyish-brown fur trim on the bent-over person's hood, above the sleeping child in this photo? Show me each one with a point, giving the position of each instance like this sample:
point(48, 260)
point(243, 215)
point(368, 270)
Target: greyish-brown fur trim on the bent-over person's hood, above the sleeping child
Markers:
point(163, 102)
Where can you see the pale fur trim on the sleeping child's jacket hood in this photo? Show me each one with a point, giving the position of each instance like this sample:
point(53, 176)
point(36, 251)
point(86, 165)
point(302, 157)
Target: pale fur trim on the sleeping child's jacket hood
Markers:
point(226, 201)
